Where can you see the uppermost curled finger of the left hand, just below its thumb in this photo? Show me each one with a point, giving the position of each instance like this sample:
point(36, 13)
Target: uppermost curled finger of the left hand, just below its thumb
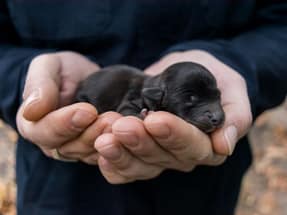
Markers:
point(59, 126)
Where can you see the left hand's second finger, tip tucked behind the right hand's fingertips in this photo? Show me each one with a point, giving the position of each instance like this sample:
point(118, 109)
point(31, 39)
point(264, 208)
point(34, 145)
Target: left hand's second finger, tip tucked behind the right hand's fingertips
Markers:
point(83, 145)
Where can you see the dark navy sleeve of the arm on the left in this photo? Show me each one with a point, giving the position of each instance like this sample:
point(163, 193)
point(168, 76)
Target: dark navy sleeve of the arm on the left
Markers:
point(14, 62)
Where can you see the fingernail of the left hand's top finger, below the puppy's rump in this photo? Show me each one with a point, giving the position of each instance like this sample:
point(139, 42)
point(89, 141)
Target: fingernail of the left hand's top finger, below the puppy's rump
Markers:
point(81, 119)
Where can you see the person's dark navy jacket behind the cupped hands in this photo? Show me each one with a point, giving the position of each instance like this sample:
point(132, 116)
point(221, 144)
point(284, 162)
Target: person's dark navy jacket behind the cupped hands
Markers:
point(248, 35)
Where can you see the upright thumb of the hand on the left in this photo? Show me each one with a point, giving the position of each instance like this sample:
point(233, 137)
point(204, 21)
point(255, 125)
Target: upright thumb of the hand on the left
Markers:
point(41, 91)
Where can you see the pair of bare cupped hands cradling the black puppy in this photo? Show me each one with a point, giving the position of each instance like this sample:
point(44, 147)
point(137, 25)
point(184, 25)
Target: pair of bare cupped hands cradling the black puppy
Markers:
point(127, 148)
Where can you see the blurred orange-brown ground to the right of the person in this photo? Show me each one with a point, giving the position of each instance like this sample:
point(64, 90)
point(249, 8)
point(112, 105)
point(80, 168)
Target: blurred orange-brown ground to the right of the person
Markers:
point(264, 190)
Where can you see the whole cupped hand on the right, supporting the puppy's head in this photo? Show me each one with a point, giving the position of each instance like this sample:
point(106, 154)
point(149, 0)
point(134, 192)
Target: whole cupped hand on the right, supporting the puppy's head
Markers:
point(137, 150)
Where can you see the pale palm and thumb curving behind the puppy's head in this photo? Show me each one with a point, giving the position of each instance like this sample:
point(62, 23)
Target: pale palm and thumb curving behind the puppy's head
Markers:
point(234, 97)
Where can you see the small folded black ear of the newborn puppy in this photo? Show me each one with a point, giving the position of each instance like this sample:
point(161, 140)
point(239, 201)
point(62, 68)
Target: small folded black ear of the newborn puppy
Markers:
point(152, 97)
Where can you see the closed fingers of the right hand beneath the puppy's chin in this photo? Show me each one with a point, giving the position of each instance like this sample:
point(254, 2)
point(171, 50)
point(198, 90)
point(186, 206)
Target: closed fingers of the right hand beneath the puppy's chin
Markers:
point(162, 141)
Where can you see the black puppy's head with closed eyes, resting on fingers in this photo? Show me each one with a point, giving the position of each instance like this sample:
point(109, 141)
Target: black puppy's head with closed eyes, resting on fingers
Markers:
point(189, 91)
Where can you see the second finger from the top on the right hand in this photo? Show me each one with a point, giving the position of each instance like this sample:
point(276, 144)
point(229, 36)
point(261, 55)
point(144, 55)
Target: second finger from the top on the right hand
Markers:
point(131, 132)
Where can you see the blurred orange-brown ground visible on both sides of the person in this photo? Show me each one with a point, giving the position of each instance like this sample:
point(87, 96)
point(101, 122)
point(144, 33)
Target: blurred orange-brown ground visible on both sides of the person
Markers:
point(264, 188)
